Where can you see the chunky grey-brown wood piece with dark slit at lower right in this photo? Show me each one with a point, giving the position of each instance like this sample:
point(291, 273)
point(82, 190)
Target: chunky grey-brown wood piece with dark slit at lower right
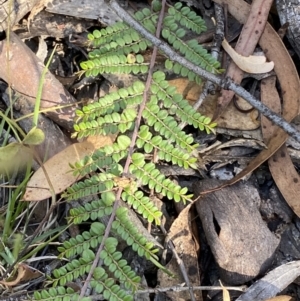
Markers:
point(239, 239)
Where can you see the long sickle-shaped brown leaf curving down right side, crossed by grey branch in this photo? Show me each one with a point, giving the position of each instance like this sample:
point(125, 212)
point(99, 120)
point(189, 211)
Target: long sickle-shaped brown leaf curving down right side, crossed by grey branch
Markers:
point(288, 79)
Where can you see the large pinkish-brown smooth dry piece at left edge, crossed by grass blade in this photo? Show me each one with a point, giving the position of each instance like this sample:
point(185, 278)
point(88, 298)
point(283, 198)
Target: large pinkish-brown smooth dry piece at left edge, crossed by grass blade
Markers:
point(26, 70)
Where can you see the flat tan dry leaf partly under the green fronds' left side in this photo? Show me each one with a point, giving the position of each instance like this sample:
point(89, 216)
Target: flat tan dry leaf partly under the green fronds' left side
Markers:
point(58, 168)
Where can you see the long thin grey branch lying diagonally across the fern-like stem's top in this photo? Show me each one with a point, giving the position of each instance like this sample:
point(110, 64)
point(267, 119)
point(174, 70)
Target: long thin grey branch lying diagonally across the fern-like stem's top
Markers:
point(224, 83)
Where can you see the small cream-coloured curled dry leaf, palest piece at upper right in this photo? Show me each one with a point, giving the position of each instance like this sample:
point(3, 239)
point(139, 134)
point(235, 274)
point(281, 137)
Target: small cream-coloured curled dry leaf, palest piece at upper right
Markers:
point(250, 64)
